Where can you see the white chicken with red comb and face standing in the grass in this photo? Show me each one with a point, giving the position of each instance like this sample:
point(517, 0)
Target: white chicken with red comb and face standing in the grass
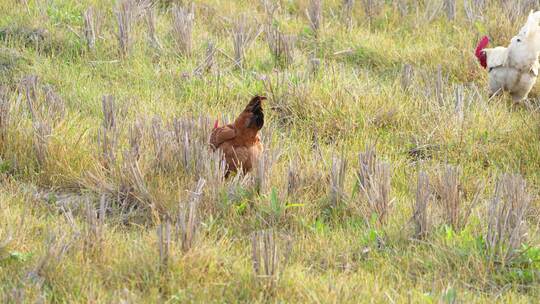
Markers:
point(514, 68)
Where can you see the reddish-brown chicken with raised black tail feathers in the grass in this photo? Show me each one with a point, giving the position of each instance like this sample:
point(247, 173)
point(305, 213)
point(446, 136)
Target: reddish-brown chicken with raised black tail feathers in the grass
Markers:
point(239, 141)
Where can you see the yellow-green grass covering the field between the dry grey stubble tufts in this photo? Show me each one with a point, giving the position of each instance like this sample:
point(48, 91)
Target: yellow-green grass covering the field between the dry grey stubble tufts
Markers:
point(354, 100)
